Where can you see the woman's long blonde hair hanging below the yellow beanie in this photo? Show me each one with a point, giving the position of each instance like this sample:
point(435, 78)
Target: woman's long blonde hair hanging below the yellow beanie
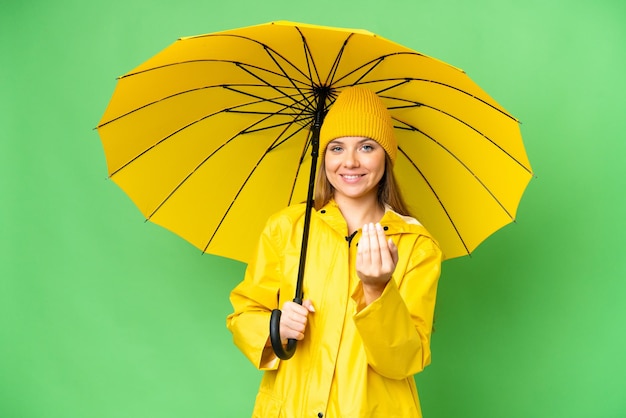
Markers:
point(388, 191)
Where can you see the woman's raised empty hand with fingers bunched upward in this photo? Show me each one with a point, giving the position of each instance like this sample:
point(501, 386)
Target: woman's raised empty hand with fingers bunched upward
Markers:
point(375, 261)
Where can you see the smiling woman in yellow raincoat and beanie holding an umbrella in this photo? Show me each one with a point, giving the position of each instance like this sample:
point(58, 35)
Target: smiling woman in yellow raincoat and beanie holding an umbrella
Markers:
point(365, 324)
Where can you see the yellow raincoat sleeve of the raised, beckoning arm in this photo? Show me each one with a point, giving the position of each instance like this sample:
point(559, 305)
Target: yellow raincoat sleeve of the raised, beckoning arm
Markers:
point(396, 328)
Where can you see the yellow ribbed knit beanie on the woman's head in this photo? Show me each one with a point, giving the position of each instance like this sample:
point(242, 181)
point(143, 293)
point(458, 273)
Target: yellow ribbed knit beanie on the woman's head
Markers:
point(358, 111)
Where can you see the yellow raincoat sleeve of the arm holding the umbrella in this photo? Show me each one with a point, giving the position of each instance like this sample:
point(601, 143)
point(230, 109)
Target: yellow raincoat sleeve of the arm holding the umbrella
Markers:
point(253, 301)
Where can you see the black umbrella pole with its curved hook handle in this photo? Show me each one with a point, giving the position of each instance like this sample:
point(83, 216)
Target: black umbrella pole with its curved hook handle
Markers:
point(277, 345)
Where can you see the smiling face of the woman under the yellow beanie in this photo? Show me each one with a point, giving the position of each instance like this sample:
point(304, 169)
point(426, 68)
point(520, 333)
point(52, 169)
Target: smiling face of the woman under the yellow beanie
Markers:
point(354, 166)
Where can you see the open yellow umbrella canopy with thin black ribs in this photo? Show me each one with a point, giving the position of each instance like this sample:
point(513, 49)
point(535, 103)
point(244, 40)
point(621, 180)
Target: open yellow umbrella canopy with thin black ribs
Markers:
point(213, 134)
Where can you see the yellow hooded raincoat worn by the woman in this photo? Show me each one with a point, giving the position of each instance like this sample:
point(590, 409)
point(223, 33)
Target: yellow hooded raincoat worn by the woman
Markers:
point(355, 360)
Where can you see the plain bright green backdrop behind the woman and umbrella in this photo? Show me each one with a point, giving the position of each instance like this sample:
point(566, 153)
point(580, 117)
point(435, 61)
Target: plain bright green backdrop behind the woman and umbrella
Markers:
point(103, 315)
